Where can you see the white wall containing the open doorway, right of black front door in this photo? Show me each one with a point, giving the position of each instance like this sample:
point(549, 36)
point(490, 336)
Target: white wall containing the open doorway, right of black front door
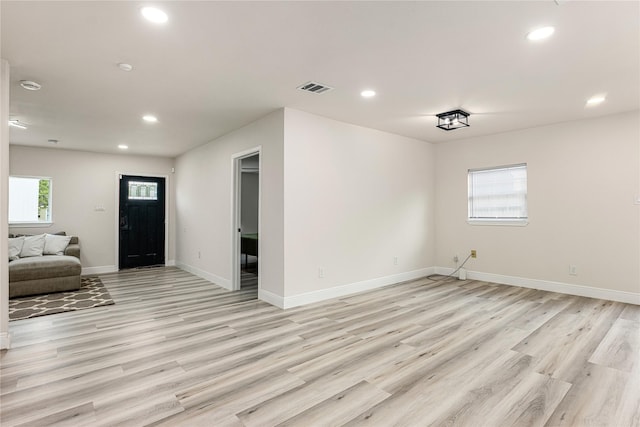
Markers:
point(204, 197)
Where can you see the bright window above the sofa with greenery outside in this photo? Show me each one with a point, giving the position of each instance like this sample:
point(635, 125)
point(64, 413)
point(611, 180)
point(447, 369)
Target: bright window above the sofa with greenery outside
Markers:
point(29, 200)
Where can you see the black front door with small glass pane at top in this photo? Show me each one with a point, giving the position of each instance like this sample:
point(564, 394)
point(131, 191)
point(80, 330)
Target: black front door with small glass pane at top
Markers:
point(141, 221)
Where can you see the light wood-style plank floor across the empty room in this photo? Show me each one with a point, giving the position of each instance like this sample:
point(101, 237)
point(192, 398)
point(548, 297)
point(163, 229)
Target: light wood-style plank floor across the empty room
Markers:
point(177, 350)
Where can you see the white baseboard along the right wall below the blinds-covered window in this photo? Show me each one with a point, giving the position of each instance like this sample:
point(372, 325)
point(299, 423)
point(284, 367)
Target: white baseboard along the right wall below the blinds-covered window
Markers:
point(546, 285)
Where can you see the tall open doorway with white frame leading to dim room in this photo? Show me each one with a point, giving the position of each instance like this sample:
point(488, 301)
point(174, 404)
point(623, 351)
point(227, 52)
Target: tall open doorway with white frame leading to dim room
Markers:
point(246, 259)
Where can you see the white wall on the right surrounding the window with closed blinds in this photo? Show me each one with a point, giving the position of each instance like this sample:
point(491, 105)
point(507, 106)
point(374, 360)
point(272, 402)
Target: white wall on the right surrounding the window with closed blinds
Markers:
point(583, 179)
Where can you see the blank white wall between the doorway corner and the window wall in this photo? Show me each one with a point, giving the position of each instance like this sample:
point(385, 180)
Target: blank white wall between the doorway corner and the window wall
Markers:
point(355, 198)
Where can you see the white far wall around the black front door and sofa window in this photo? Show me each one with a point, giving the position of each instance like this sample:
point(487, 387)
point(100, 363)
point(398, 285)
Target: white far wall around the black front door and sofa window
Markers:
point(83, 181)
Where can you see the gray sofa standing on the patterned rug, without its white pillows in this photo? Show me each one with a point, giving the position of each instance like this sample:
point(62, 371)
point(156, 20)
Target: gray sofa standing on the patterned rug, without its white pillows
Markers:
point(46, 273)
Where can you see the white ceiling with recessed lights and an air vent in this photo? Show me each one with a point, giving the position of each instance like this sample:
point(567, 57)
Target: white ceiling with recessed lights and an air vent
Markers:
point(216, 66)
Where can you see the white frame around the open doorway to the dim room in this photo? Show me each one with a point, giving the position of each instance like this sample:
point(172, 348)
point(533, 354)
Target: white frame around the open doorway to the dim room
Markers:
point(236, 211)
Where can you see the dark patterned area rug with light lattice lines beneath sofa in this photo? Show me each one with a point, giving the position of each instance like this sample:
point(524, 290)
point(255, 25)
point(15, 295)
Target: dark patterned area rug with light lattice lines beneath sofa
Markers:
point(92, 293)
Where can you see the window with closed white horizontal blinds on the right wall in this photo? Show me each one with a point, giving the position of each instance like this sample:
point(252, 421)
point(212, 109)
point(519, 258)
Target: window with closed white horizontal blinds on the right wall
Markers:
point(498, 195)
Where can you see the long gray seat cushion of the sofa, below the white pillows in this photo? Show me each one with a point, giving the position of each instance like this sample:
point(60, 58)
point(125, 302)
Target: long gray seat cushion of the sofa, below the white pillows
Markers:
point(34, 268)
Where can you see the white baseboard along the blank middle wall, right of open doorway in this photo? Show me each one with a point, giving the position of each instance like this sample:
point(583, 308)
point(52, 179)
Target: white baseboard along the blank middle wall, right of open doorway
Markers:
point(352, 288)
